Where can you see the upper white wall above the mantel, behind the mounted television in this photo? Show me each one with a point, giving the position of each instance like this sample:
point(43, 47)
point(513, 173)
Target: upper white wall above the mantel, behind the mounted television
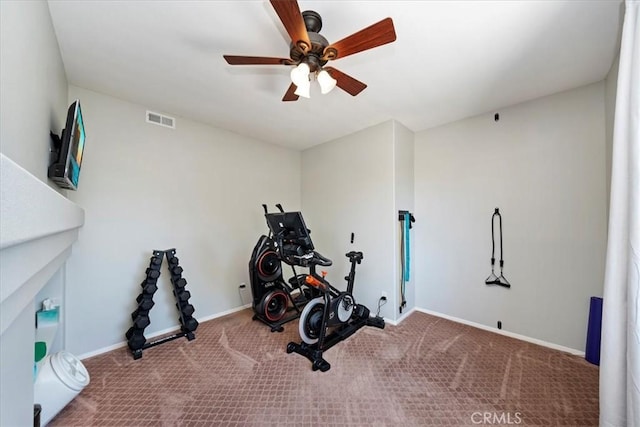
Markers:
point(33, 85)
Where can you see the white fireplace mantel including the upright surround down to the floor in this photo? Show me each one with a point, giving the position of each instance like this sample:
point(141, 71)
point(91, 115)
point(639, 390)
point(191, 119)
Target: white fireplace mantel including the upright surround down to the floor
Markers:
point(37, 228)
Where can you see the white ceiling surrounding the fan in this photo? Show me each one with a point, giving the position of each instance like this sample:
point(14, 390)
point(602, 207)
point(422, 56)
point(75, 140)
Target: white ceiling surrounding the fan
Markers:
point(451, 60)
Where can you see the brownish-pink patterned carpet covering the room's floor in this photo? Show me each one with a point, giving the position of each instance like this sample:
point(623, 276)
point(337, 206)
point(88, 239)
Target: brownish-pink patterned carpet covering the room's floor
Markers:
point(426, 371)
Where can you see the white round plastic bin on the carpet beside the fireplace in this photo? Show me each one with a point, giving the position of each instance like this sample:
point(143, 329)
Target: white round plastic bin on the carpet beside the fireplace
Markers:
point(62, 377)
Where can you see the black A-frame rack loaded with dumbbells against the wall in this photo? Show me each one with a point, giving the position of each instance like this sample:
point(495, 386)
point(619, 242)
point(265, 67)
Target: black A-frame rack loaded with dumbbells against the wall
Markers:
point(140, 317)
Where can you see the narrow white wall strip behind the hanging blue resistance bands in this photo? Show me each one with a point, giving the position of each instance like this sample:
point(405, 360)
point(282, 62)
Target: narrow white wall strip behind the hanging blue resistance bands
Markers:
point(403, 149)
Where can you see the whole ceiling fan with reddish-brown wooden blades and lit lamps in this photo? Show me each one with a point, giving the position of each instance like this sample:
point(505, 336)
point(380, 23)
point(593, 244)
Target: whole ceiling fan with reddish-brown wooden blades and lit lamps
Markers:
point(309, 51)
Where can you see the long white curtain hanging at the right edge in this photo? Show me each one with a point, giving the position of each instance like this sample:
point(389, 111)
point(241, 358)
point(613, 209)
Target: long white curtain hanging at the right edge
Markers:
point(620, 345)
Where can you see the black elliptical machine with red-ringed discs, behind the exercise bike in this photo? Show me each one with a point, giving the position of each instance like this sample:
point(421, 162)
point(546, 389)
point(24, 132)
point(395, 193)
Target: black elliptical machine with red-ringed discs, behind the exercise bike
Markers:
point(275, 301)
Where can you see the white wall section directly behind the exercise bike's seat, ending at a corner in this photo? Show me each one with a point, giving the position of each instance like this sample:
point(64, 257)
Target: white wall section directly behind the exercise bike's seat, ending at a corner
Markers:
point(347, 186)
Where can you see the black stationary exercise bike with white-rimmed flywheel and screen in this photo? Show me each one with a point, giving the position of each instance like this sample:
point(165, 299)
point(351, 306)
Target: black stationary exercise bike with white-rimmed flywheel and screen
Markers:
point(331, 317)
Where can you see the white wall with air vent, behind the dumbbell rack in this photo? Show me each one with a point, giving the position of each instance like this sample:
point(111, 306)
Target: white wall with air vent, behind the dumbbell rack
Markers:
point(196, 188)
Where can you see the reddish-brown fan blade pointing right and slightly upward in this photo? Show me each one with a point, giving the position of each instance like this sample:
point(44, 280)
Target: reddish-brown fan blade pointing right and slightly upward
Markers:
point(375, 35)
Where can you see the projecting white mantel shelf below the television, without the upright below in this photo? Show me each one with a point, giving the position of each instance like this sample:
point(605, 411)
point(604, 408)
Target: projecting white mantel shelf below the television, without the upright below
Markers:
point(37, 228)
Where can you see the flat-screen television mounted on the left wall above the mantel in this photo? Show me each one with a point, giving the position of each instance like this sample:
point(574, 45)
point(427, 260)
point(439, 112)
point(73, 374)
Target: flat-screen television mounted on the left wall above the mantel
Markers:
point(67, 150)
